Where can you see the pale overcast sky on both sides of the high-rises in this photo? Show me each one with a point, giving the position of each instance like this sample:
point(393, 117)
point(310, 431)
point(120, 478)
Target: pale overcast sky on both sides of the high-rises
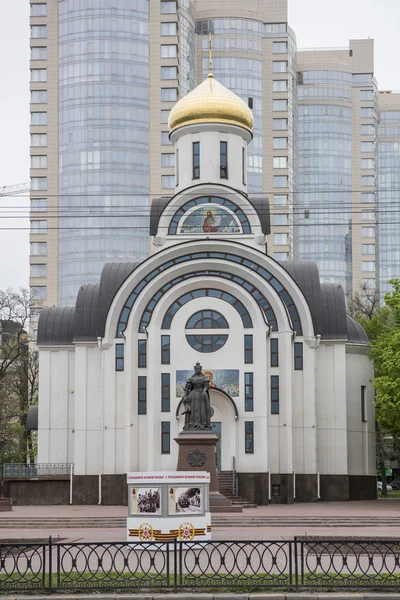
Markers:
point(317, 23)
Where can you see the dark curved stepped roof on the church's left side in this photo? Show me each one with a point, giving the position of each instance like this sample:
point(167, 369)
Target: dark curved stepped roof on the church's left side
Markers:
point(87, 320)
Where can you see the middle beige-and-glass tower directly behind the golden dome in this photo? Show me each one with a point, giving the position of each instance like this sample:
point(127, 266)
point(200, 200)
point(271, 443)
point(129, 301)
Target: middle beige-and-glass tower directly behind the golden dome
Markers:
point(254, 55)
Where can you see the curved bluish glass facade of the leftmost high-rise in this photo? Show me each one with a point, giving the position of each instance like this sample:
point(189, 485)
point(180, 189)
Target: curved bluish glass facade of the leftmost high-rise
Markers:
point(103, 138)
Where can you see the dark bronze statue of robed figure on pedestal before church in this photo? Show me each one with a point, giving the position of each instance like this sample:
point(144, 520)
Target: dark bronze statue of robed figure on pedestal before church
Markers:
point(196, 401)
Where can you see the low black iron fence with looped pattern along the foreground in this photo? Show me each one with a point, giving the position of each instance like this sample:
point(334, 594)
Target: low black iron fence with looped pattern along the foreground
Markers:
point(297, 564)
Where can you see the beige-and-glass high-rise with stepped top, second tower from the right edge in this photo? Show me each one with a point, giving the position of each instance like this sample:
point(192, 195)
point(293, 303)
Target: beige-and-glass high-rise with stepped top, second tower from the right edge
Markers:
point(337, 98)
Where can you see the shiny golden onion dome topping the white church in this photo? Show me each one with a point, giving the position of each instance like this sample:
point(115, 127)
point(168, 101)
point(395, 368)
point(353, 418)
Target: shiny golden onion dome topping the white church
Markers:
point(211, 102)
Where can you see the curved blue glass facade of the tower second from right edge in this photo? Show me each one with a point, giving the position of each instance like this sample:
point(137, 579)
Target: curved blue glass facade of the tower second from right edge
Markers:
point(325, 181)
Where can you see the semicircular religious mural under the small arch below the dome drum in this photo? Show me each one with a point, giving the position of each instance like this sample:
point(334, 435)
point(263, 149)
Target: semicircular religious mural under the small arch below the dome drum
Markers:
point(210, 218)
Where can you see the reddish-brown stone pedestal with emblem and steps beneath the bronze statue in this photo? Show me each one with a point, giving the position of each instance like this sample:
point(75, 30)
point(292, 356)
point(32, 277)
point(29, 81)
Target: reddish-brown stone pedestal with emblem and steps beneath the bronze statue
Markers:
point(197, 452)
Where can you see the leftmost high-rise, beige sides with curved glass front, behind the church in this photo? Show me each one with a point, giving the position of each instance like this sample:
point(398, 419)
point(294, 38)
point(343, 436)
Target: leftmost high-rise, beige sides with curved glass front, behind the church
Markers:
point(104, 75)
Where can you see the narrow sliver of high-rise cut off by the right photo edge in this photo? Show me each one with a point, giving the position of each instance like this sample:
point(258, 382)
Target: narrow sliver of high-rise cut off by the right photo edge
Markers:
point(388, 194)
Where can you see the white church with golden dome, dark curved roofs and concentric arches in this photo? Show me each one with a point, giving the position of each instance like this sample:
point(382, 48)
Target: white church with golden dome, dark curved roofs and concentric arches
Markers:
point(290, 379)
